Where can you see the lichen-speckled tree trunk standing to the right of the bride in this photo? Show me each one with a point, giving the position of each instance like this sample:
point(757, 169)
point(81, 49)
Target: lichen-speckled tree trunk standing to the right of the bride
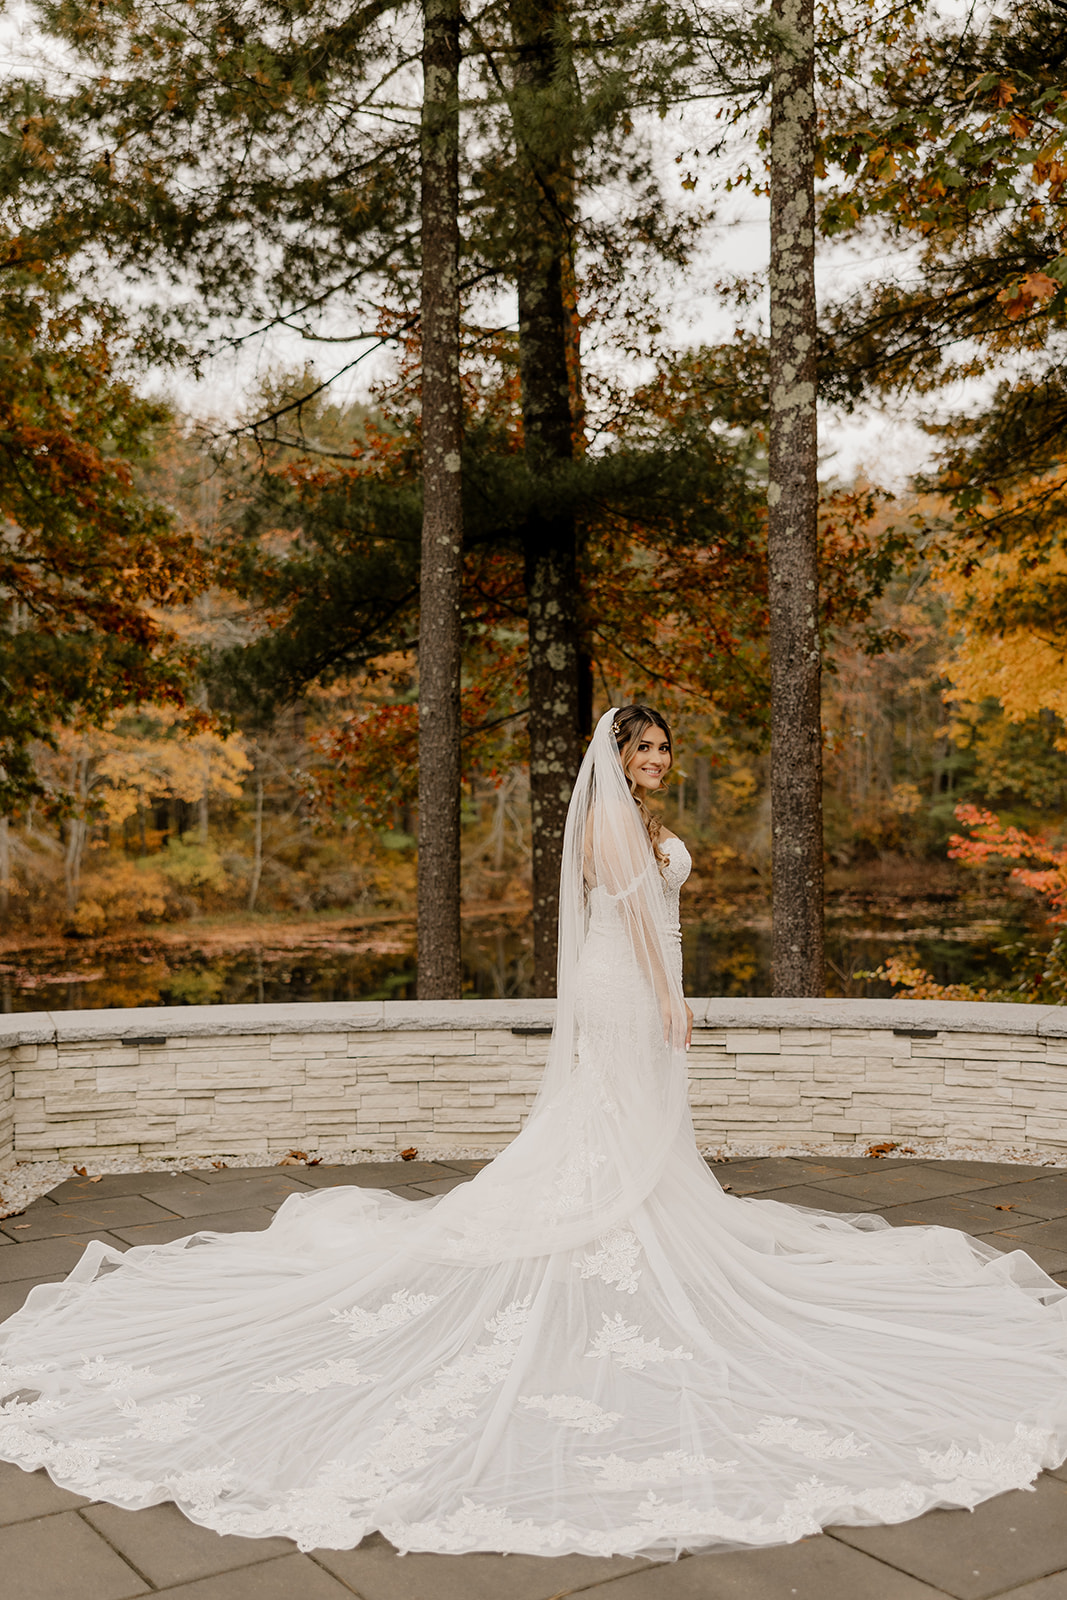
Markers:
point(793, 518)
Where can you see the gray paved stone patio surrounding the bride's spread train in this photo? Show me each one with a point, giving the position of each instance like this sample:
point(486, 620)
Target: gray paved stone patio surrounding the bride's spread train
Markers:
point(58, 1546)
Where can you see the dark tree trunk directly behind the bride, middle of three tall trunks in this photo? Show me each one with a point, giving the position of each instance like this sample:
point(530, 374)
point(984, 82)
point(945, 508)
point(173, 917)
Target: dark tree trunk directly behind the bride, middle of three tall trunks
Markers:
point(548, 362)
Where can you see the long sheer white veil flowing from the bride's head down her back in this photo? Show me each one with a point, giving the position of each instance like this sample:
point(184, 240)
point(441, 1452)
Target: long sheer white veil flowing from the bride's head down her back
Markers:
point(613, 1097)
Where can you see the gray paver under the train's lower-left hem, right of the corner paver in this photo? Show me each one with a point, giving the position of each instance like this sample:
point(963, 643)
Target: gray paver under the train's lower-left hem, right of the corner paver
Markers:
point(170, 1550)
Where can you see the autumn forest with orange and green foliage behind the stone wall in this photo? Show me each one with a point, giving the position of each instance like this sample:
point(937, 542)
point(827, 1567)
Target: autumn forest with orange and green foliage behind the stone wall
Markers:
point(210, 625)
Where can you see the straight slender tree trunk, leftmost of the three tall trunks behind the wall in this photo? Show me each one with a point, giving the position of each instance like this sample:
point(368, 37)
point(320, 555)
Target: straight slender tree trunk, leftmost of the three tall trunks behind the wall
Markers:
point(441, 638)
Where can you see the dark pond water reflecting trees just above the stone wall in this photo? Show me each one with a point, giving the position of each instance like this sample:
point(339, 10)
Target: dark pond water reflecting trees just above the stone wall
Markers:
point(727, 953)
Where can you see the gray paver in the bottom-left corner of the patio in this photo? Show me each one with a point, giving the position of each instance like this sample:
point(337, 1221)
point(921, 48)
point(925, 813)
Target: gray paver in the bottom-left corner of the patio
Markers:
point(62, 1559)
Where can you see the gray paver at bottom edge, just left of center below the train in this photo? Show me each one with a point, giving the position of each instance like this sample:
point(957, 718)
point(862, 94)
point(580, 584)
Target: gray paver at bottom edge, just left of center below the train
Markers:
point(378, 1574)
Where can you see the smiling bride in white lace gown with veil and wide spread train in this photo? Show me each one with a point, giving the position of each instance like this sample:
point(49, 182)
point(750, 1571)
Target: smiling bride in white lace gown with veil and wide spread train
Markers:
point(589, 1348)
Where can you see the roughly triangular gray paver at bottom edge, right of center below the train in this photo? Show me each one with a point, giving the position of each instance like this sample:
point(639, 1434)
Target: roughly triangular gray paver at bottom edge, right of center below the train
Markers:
point(815, 1569)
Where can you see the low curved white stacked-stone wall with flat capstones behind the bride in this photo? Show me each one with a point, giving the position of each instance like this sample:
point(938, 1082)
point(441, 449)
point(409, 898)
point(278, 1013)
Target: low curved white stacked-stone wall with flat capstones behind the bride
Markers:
point(444, 1076)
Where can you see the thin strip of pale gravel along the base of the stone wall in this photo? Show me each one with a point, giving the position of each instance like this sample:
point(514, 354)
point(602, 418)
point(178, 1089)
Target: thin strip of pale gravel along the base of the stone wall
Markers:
point(31, 1180)
